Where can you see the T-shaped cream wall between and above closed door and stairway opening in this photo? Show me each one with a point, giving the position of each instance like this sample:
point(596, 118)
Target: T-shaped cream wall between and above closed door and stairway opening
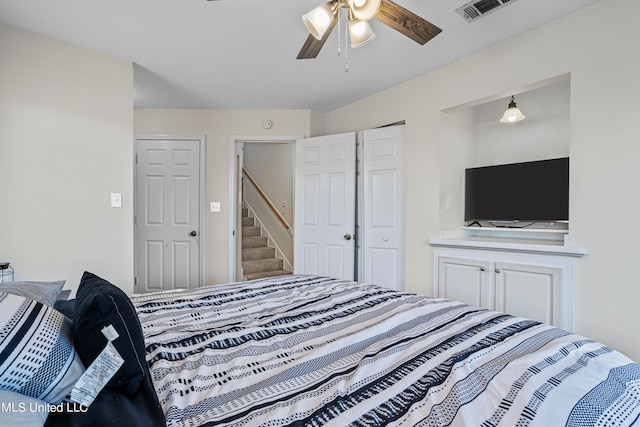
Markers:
point(219, 126)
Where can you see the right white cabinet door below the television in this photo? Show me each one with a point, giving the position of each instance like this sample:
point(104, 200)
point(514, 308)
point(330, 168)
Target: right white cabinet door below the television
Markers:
point(529, 291)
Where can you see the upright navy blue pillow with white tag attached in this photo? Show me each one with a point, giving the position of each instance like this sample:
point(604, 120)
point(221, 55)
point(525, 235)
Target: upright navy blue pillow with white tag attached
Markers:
point(100, 304)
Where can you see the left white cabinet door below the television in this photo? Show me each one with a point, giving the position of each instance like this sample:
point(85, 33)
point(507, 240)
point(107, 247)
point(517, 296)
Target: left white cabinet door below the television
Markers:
point(463, 280)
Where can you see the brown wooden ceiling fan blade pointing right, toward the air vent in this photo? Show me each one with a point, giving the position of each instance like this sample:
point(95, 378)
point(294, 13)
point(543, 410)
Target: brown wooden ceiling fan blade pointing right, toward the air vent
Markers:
point(406, 22)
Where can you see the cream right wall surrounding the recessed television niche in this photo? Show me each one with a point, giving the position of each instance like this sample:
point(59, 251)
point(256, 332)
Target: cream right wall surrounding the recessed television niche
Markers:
point(604, 148)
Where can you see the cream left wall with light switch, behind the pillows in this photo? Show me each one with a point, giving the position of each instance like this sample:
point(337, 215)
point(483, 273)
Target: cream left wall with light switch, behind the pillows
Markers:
point(65, 144)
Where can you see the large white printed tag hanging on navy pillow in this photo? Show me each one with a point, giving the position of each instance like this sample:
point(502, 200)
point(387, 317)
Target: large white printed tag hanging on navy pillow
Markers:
point(97, 375)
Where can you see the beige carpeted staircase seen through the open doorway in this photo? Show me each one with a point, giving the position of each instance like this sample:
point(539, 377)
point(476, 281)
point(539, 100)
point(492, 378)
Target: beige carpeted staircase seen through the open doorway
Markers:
point(258, 259)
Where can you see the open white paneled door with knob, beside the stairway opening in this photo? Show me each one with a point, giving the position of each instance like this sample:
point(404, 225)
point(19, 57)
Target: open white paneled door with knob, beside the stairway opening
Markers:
point(324, 241)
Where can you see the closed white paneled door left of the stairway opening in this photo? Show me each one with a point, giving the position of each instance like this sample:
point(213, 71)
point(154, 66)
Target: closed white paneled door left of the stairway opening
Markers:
point(168, 206)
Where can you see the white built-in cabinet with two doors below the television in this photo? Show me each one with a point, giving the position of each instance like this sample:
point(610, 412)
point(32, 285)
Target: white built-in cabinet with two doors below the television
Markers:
point(523, 277)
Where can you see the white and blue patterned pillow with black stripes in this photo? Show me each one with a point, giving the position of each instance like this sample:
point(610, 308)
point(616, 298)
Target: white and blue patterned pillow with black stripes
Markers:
point(37, 357)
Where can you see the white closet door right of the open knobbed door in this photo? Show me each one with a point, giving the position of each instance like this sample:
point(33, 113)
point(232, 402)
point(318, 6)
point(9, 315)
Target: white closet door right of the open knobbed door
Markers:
point(381, 207)
